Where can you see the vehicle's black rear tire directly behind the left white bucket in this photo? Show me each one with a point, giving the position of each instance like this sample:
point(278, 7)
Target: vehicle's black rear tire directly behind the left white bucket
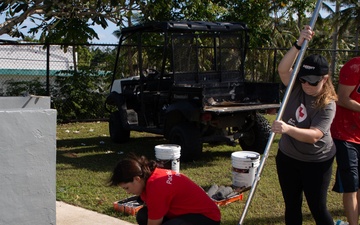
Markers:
point(188, 137)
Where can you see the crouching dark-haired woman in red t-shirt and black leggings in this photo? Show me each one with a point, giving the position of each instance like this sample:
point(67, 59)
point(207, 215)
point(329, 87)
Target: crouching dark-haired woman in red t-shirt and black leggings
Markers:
point(171, 198)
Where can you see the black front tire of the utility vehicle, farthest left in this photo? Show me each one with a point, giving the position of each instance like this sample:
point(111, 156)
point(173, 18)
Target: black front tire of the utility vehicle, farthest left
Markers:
point(118, 133)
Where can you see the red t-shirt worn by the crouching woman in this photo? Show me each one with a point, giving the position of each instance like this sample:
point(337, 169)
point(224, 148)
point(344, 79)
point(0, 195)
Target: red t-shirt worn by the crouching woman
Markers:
point(171, 194)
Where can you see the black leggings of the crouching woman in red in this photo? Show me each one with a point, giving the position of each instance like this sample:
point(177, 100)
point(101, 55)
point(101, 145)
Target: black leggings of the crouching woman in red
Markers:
point(187, 219)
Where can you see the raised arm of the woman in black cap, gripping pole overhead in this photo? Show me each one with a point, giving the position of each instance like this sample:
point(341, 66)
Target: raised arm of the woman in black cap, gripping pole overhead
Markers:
point(285, 67)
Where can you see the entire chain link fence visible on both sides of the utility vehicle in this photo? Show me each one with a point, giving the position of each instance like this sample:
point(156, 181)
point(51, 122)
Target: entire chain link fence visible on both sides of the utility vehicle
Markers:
point(78, 78)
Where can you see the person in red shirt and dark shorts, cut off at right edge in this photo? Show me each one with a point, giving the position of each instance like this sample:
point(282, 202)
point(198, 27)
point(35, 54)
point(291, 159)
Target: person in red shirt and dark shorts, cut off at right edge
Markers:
point(345, 131)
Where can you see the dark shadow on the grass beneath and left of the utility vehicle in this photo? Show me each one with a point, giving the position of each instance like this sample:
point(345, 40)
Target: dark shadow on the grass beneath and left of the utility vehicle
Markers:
point(101, 154)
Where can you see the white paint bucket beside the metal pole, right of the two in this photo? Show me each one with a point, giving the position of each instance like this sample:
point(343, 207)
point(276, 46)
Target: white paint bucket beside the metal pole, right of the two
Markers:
point(244, 167)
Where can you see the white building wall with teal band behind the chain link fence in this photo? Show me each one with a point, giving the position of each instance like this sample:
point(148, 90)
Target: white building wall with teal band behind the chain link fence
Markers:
point(28, 62)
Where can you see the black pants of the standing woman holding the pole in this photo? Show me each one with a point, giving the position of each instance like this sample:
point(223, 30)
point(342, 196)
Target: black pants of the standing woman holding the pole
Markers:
point(312, 179)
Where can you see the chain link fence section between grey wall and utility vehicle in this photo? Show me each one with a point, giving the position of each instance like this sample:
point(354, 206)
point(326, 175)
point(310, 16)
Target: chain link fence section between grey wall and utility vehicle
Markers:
point(77, 78)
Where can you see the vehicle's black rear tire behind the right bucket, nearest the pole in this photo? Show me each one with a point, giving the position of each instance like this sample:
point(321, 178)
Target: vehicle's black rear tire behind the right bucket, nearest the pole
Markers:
point(257, 137)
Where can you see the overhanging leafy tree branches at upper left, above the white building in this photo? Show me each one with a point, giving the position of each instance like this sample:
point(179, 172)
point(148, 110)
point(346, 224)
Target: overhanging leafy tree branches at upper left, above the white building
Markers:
point(61, 20)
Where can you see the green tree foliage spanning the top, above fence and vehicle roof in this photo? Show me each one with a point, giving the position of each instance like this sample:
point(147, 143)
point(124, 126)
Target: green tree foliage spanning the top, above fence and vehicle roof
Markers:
point(273, 23)
